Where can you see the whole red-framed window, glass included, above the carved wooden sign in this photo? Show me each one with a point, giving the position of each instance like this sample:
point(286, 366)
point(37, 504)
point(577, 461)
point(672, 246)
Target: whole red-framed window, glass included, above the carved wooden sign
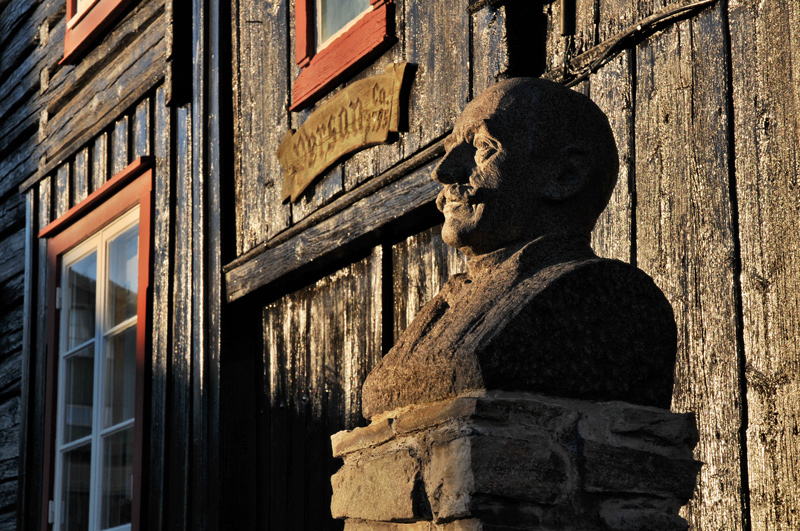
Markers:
point(333, 39)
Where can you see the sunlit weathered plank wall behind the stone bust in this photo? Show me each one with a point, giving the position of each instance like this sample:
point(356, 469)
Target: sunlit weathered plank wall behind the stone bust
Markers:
point(703, 97)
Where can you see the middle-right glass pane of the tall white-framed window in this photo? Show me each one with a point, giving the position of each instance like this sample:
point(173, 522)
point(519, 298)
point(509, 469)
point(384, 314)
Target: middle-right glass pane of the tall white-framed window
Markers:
point(120, 382)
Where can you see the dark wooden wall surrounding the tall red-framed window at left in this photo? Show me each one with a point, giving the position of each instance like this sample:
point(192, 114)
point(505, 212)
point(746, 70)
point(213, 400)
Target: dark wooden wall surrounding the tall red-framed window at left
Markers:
point(67, 129)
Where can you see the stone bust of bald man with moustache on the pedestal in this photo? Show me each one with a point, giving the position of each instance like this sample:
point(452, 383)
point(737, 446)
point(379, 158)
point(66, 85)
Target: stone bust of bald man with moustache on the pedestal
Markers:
point(528, 169)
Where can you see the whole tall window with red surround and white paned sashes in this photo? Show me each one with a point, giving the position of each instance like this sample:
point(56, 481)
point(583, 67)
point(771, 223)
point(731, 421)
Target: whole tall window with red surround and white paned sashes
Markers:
point(98, 273)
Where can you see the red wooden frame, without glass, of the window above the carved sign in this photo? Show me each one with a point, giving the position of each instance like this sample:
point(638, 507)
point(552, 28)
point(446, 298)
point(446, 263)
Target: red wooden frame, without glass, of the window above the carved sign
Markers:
point(371, 35)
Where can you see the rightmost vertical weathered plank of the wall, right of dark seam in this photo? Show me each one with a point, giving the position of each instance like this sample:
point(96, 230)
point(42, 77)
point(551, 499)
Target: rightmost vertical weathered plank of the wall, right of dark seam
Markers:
point(765, 43)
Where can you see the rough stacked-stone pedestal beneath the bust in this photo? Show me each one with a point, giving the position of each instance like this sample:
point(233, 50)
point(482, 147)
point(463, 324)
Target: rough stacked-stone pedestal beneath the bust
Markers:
point(505, 461)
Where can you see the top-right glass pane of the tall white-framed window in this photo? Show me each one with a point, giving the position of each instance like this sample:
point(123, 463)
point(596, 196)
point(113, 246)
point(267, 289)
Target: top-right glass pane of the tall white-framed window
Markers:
point(123, 276)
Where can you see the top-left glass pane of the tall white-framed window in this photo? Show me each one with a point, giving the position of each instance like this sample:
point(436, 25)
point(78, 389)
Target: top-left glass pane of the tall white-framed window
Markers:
point(82, 286)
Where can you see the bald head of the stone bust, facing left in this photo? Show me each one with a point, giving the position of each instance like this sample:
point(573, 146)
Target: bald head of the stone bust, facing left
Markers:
point(526, 158)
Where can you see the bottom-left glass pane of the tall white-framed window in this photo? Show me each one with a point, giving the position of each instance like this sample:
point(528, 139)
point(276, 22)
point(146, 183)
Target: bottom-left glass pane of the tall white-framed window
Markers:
point(77, 475)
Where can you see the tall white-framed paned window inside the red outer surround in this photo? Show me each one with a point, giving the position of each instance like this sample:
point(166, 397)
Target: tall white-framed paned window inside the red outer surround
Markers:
point(97, 380)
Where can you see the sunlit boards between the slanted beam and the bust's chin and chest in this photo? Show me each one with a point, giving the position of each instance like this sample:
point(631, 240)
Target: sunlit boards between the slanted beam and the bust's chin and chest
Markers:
point(421, 264)
